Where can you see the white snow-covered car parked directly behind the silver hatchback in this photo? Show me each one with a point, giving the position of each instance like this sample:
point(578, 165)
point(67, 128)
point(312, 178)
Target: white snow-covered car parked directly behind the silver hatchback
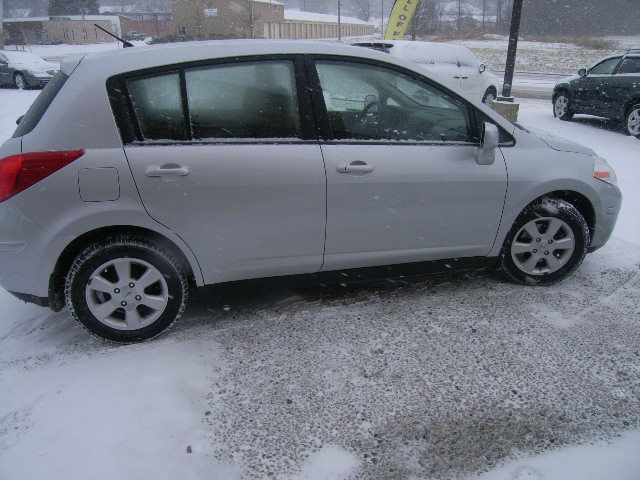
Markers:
point(454, 65)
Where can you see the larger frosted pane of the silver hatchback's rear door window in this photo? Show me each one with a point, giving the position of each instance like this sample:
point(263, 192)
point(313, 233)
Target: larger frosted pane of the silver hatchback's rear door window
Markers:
point(253, 100)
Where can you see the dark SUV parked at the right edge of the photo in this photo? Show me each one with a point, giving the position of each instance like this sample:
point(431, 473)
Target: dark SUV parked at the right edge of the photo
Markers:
point(610, 89)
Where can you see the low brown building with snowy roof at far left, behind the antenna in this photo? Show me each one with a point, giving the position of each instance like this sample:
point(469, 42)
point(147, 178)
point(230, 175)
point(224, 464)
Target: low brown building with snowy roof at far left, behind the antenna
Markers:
point(73, 29)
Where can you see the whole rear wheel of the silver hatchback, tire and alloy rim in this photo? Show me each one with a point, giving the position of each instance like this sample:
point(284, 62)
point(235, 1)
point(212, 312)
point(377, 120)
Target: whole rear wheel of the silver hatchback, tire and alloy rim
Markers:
point(126, 289)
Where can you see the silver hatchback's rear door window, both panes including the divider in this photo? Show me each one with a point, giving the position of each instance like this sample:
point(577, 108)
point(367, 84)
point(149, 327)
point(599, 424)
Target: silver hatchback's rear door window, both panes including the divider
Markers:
point(248, 100)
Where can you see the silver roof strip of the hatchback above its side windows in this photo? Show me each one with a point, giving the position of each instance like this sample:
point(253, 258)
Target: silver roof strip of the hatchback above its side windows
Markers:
point(138, 58)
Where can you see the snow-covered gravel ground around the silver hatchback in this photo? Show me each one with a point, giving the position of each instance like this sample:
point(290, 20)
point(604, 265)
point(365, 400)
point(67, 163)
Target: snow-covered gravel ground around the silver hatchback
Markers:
point(441, 376)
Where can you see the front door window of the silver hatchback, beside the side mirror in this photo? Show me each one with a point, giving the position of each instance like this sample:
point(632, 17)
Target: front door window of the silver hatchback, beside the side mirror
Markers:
point(374, 103)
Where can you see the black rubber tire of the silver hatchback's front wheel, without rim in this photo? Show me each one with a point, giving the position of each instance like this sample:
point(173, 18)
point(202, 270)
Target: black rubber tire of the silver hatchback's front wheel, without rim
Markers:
point(555, 208)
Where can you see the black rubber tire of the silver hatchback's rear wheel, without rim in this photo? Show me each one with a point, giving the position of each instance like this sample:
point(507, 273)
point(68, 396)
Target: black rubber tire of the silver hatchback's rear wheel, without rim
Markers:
point(126, 247)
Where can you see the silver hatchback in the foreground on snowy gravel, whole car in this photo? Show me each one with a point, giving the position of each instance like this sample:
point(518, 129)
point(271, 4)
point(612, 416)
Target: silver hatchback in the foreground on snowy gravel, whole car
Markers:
point(141, 174)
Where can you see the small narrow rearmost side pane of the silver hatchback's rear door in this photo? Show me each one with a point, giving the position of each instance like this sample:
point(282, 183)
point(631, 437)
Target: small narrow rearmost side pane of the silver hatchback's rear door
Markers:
point(157, 102)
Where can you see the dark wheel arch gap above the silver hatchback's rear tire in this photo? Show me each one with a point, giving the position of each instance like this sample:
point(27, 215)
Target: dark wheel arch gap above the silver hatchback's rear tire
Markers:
point(71, 251)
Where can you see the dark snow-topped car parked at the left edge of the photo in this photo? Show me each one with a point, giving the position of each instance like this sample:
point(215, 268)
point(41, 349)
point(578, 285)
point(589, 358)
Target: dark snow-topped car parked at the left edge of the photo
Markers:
point(24, 69)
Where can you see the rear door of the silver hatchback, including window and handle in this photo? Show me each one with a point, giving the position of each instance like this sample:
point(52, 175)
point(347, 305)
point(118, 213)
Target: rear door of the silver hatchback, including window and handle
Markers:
point(225, 155)
